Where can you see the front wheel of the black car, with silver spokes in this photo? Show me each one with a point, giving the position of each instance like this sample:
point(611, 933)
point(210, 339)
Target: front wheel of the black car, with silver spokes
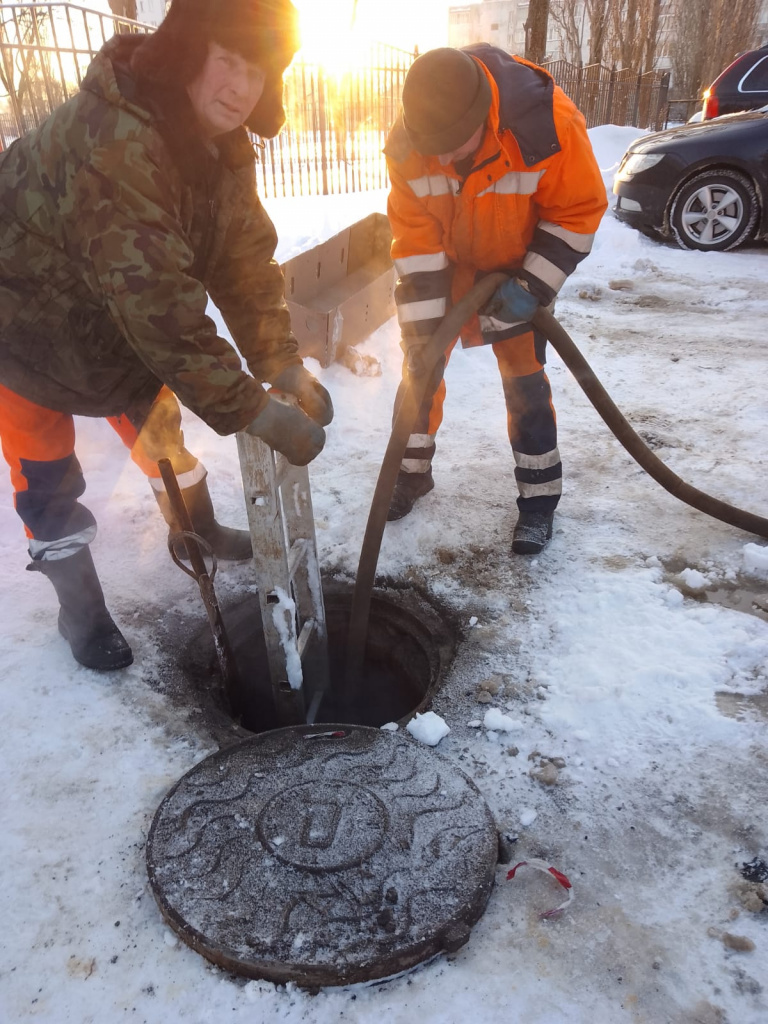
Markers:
point(715, 211)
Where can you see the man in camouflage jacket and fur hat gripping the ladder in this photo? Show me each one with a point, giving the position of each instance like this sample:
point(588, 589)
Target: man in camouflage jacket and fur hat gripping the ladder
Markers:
point(119, 217)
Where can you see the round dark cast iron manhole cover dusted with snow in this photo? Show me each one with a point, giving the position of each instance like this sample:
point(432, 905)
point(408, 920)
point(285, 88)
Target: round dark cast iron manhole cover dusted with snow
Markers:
point(323, 856)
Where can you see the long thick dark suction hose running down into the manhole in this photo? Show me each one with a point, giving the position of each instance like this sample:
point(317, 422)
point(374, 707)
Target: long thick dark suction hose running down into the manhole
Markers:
point(406, 418)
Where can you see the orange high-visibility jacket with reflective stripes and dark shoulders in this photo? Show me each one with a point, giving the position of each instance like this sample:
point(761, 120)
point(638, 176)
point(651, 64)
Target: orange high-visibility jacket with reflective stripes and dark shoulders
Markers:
point(530, 206)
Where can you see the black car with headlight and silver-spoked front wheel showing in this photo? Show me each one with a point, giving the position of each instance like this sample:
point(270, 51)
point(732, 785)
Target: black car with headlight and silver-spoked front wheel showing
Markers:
point(704, 185)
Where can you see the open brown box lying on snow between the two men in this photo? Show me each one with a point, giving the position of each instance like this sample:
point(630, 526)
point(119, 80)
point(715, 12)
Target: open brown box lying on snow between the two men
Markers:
point(342, 291)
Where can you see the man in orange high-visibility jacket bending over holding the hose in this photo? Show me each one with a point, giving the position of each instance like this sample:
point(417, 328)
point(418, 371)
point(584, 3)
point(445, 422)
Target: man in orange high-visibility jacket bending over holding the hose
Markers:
point(491, 169)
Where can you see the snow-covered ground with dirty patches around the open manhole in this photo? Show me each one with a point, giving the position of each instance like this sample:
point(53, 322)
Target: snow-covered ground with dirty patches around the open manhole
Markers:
point(604, 652)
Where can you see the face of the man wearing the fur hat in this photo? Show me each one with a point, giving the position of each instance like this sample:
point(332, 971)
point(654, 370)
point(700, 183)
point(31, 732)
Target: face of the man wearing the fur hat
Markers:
point(226, 92)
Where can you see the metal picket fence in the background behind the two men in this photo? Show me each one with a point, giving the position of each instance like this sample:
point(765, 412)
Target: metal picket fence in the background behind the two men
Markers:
point(336, 122)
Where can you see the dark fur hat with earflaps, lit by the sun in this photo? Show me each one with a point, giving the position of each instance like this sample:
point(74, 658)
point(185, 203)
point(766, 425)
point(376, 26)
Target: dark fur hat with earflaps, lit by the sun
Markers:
point(265, 32)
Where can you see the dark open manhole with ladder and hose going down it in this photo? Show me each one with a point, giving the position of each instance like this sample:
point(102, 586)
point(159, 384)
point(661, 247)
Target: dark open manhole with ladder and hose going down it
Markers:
point(410, 648)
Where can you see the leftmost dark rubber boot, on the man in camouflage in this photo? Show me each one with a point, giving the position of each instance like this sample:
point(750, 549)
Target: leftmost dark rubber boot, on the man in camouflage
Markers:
point(83, 619)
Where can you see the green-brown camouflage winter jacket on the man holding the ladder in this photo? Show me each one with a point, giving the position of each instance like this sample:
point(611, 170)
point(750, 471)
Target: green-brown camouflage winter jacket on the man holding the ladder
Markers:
point(116, 221)
